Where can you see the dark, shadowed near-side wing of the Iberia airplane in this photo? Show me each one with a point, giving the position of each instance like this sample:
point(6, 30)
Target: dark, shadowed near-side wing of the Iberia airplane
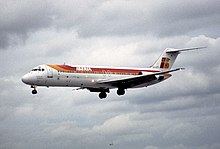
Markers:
point(135, 81)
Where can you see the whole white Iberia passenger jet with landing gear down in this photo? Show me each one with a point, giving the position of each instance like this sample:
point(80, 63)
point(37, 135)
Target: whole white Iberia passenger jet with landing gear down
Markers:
point(102, 79)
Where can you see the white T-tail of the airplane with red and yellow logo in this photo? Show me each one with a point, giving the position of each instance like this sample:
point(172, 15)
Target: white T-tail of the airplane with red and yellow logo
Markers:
point(168, 57)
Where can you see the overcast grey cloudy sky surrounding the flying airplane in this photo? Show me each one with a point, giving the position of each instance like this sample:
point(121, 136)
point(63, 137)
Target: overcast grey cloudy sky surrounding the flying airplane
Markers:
point(180, 113)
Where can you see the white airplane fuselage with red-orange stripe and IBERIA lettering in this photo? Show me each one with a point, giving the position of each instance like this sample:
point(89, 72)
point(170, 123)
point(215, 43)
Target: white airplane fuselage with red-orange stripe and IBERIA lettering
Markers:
point(81, 76)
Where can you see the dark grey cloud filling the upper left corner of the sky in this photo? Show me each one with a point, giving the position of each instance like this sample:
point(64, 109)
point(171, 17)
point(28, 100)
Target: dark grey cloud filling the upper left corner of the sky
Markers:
point(19, 18)
